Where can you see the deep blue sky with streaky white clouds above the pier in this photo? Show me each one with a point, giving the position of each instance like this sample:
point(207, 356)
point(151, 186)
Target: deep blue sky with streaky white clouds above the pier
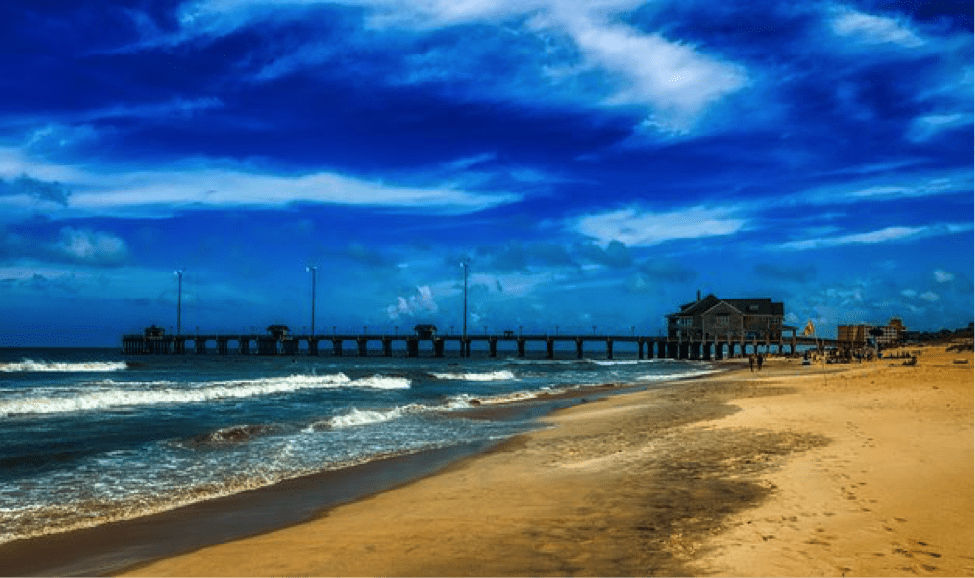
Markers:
point(598, 163)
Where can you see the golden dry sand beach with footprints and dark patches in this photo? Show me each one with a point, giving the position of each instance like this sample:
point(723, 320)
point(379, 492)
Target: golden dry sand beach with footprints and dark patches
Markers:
point(794, 471)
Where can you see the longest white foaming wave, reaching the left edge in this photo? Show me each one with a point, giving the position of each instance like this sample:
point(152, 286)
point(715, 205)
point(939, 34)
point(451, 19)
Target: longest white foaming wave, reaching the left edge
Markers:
point(111, 397)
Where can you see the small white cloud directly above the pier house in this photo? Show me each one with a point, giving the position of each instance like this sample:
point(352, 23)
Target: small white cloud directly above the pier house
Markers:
point(636, 228)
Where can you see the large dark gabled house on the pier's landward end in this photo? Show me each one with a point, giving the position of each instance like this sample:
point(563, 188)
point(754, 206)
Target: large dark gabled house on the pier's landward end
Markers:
point(711, 317)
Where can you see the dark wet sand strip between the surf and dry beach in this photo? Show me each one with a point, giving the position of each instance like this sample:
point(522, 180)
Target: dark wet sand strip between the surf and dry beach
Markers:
point(123, 545)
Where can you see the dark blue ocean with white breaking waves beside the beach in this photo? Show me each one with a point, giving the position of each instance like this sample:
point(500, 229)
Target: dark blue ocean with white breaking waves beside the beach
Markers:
point(88, 436)
